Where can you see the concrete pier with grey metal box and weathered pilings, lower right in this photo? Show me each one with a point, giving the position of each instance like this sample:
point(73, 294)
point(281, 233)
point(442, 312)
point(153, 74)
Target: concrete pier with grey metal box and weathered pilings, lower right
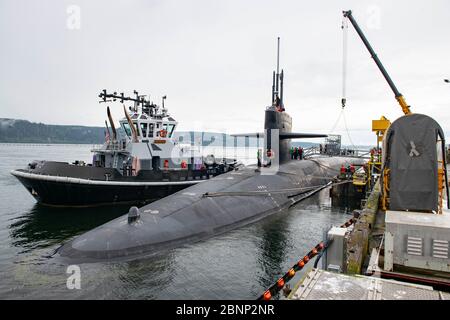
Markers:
point(371, 260)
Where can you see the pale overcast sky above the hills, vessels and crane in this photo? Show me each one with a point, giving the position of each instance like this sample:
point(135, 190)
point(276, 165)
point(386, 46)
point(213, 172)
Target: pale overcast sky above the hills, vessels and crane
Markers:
point(214, 60)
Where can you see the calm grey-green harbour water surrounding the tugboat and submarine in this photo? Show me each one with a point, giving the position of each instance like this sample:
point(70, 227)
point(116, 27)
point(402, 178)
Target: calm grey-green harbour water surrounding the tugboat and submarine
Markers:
point(240, 264)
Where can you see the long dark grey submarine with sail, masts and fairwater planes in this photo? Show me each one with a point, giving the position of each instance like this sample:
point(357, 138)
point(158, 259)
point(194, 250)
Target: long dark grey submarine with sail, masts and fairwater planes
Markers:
point(221, 204)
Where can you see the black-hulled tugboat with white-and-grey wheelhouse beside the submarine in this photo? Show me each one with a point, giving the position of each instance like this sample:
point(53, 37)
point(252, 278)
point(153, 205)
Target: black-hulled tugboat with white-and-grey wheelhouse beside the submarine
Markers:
point(142, 164)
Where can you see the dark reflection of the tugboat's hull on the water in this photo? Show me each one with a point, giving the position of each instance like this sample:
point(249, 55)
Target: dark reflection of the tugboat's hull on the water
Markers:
point(44, 226)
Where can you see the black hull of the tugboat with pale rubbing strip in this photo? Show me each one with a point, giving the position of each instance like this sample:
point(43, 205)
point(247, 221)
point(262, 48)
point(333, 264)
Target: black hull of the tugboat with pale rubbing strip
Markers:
point(63, 184)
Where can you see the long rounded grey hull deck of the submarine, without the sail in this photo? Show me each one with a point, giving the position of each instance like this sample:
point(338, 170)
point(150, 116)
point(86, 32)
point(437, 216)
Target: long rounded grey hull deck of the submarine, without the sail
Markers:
point(228, 201)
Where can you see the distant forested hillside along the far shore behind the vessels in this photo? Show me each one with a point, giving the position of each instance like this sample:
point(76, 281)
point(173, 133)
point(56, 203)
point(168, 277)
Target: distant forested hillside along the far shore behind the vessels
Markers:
point(23, 131)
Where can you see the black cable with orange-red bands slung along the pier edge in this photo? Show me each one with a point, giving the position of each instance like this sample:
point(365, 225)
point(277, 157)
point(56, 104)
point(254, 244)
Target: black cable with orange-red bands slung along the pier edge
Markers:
point(317, 250)
